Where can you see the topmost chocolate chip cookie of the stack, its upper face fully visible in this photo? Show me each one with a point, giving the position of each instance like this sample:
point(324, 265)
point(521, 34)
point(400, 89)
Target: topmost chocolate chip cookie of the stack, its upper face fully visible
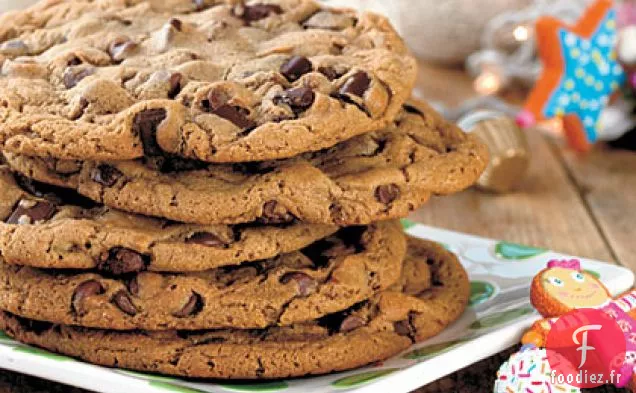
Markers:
point(211, 80)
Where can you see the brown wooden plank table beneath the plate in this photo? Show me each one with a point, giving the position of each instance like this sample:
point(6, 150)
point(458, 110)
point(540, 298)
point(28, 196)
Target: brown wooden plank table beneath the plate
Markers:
point(580, 205)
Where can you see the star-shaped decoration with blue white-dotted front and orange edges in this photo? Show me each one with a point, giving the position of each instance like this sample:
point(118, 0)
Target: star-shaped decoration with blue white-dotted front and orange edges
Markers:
point(581, 72)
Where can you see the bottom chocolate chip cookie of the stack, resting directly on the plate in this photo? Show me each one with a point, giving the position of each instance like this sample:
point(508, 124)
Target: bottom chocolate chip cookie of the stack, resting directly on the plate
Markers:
point(418, 307)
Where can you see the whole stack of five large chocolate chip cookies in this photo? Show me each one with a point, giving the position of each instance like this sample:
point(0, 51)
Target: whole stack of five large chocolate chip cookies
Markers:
point(212, 189)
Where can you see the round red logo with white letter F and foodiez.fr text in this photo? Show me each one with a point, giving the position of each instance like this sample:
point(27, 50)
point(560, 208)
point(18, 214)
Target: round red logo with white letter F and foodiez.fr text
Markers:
point(586, 348)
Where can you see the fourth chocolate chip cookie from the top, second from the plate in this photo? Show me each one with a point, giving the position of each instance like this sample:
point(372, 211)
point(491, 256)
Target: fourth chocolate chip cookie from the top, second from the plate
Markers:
point(327, 276)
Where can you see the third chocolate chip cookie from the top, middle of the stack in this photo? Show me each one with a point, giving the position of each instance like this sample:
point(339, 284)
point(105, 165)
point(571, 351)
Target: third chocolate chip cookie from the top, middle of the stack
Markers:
point(41, 227)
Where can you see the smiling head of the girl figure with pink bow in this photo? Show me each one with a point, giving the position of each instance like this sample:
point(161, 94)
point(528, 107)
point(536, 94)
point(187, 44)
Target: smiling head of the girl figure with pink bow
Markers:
point(563, 287)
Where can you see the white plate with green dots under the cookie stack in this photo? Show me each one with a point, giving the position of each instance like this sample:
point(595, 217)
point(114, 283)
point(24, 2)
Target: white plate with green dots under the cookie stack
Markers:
point(500, 274)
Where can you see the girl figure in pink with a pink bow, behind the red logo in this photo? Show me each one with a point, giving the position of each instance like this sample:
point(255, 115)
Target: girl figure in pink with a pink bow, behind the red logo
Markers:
point(563, 287)
